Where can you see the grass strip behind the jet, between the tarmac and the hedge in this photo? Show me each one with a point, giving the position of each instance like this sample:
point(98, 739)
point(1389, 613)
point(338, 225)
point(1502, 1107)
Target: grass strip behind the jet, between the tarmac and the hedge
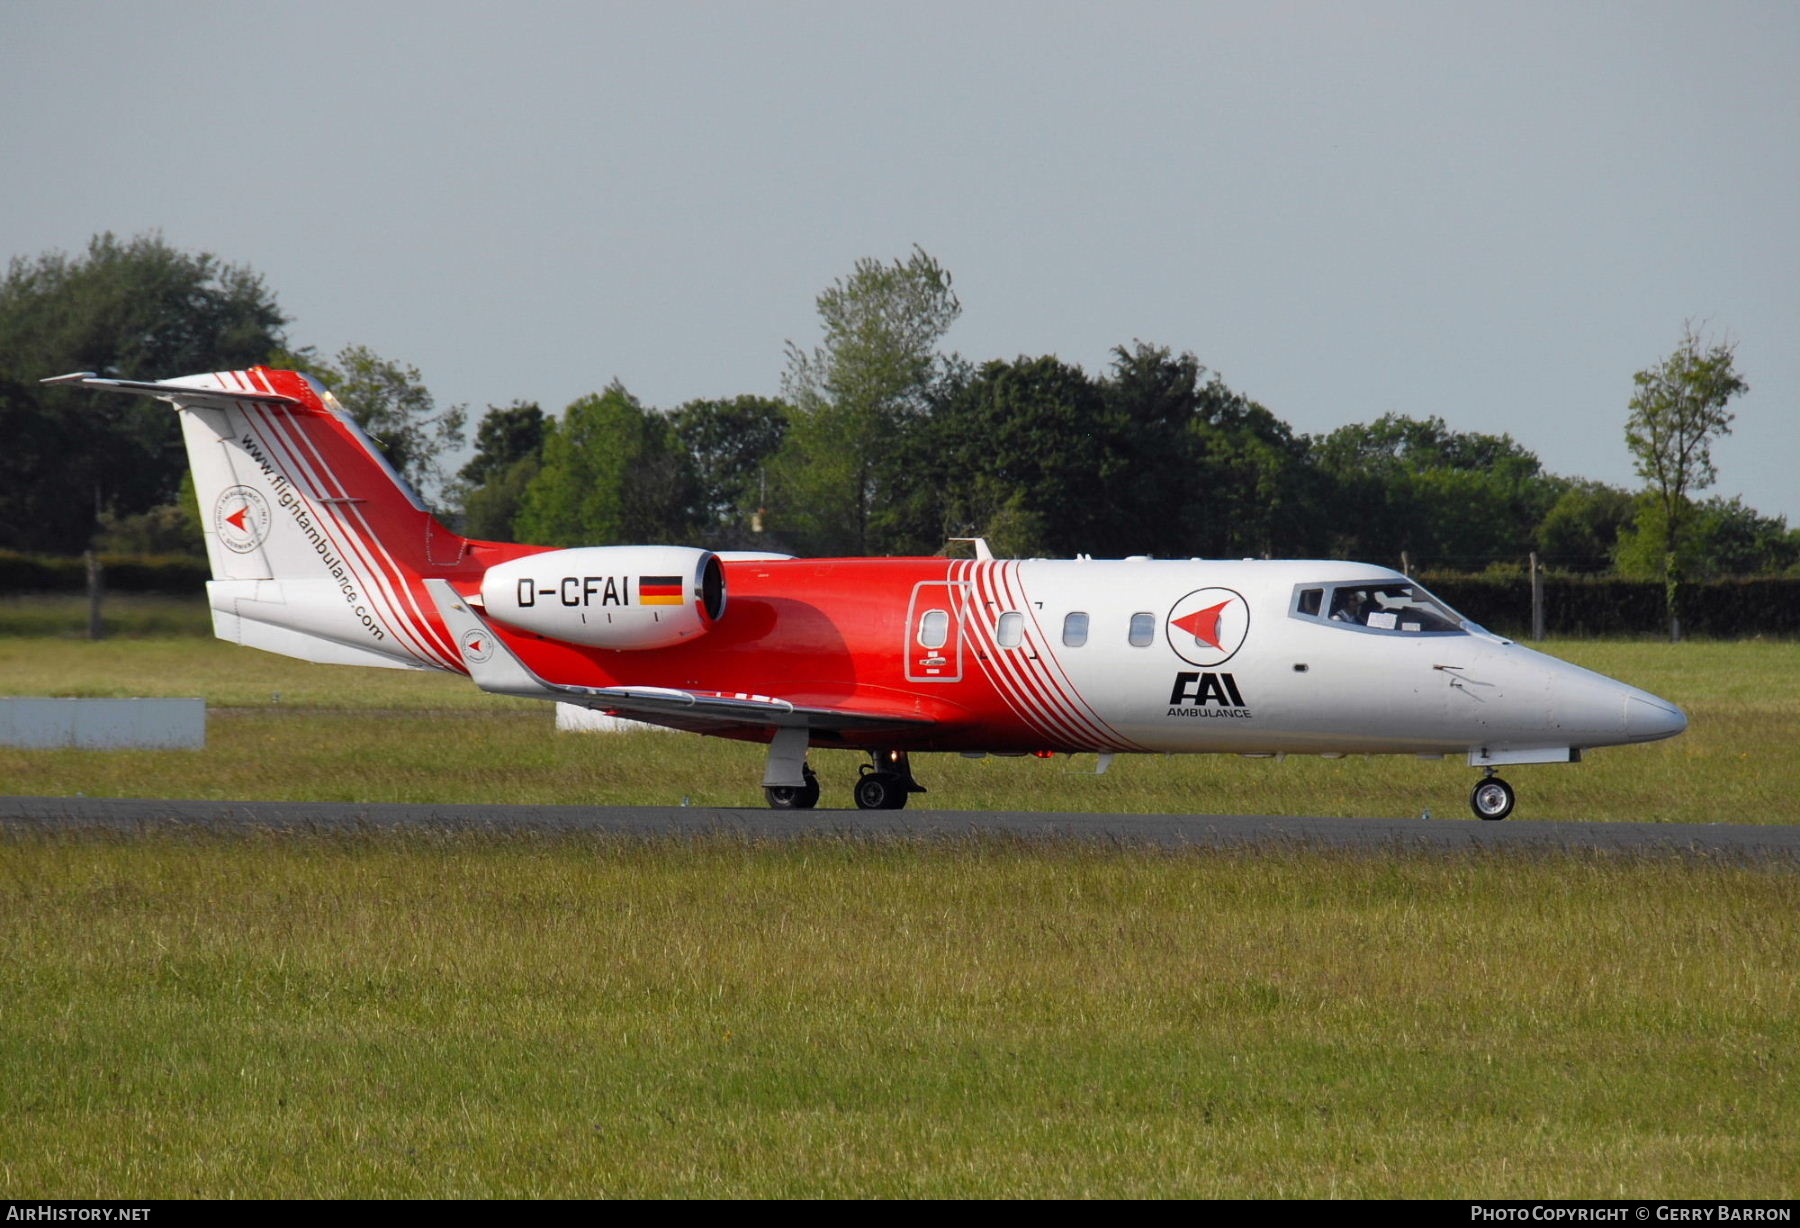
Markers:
point(287, 730)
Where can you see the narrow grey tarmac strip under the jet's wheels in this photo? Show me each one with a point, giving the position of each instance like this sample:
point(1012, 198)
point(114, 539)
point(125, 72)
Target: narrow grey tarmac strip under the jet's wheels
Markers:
point(1162, 831)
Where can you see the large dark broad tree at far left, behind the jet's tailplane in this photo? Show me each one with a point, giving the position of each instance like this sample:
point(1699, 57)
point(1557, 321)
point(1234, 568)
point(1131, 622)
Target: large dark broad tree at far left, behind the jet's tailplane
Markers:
point(132, 309)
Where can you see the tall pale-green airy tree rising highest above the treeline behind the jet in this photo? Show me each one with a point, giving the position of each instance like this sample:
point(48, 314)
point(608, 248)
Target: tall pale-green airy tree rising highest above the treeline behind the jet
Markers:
point(856, 393)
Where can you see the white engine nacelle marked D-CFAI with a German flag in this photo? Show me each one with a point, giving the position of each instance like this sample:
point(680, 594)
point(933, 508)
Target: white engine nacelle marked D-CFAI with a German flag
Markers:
point(609, 597)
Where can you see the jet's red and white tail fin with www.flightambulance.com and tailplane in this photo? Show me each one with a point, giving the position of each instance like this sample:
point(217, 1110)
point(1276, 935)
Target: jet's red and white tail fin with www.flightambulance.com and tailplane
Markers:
point(318, 548)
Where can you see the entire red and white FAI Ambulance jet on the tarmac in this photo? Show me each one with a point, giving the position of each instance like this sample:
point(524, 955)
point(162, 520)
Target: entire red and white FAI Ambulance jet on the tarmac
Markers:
point(319, 552)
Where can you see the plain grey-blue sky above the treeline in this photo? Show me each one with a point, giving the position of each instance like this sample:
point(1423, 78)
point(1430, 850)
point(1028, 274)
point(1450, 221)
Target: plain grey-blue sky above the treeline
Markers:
point(1491, 213)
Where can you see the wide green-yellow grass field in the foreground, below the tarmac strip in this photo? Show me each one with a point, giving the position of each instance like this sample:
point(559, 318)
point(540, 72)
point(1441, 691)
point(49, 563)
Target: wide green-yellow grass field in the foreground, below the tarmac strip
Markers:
point(566, 1016)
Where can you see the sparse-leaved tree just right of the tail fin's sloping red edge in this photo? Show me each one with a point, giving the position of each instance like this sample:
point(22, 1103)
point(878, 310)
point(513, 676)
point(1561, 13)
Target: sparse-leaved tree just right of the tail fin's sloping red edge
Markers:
point(390, 401)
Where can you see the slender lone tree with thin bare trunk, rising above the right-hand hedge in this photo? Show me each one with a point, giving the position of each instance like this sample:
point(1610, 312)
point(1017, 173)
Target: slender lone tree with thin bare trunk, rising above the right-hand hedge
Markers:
point(1677, 413)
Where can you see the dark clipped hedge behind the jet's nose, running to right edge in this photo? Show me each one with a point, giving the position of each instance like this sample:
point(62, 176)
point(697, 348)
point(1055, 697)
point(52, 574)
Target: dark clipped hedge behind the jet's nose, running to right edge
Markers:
point(1596, 606)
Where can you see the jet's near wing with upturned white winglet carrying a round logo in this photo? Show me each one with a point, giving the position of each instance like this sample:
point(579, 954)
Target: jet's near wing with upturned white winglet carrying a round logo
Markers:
point(496, 669)
